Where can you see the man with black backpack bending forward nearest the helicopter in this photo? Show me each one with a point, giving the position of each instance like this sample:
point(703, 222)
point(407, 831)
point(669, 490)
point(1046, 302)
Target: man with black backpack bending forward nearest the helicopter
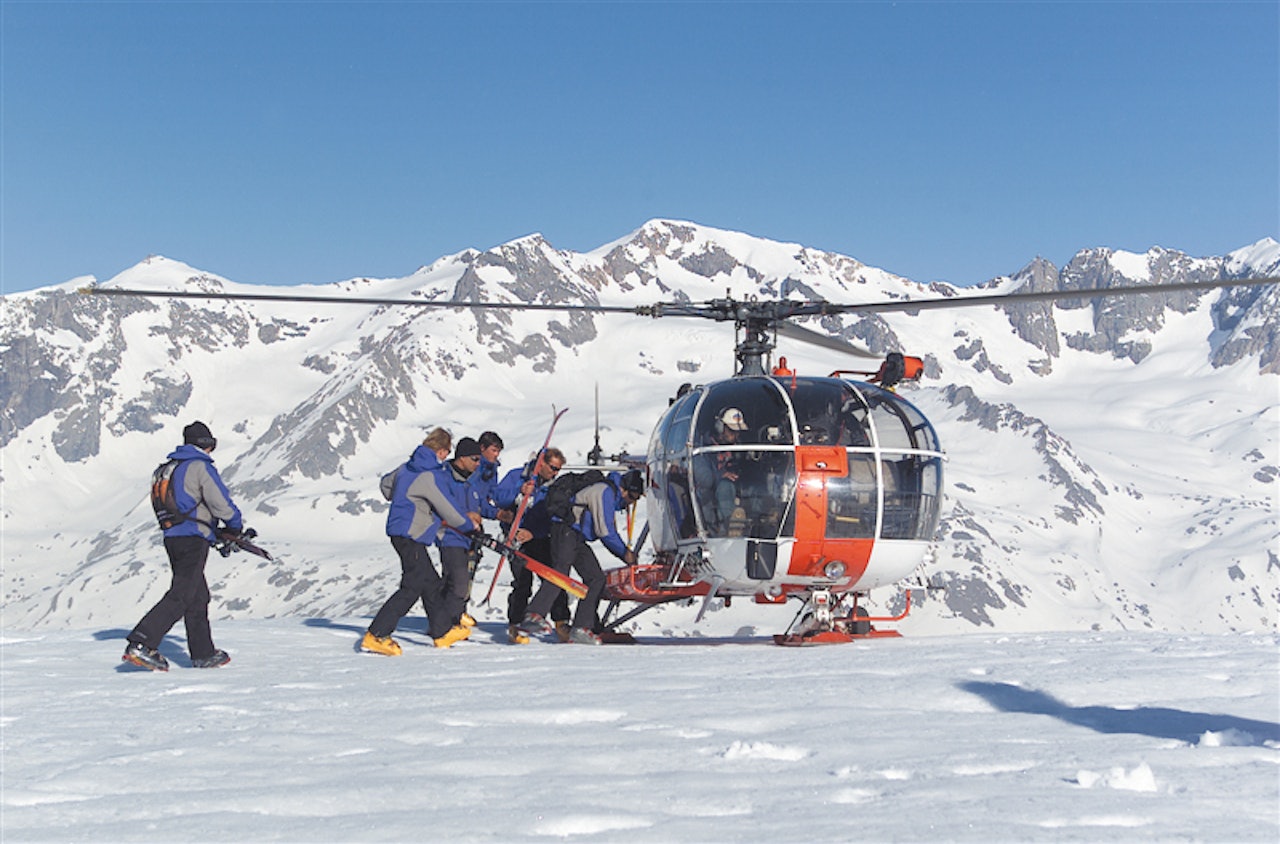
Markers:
point(595, 509)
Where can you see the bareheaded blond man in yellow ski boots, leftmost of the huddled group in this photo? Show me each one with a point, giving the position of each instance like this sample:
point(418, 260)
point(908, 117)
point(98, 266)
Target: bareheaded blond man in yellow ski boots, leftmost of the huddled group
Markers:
point(418, 513)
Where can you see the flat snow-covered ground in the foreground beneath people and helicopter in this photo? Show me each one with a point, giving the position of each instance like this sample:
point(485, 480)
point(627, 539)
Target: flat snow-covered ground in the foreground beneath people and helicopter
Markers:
point(1100, 737)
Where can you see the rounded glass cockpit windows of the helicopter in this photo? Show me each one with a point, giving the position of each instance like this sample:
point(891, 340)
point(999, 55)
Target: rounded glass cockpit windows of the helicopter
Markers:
point(726, 455)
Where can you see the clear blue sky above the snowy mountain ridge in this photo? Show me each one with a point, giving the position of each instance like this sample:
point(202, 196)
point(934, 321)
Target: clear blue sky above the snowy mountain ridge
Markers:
point(312, 143)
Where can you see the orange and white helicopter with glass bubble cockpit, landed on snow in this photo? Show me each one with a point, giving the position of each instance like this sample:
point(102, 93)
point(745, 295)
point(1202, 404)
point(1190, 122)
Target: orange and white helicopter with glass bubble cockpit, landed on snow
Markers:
point(770, 486)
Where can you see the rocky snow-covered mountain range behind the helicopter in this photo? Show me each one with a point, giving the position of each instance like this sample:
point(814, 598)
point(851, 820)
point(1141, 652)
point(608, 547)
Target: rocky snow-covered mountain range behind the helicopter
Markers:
point(1113, 464)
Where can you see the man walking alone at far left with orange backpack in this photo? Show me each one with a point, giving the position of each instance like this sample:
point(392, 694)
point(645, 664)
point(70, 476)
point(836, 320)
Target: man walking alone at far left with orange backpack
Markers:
point(199, 500)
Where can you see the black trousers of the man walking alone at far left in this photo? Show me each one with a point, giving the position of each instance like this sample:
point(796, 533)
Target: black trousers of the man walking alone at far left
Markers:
point(188, 600)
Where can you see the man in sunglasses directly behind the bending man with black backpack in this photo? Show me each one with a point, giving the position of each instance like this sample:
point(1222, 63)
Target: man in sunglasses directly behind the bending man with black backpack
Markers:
point(533, 537)
